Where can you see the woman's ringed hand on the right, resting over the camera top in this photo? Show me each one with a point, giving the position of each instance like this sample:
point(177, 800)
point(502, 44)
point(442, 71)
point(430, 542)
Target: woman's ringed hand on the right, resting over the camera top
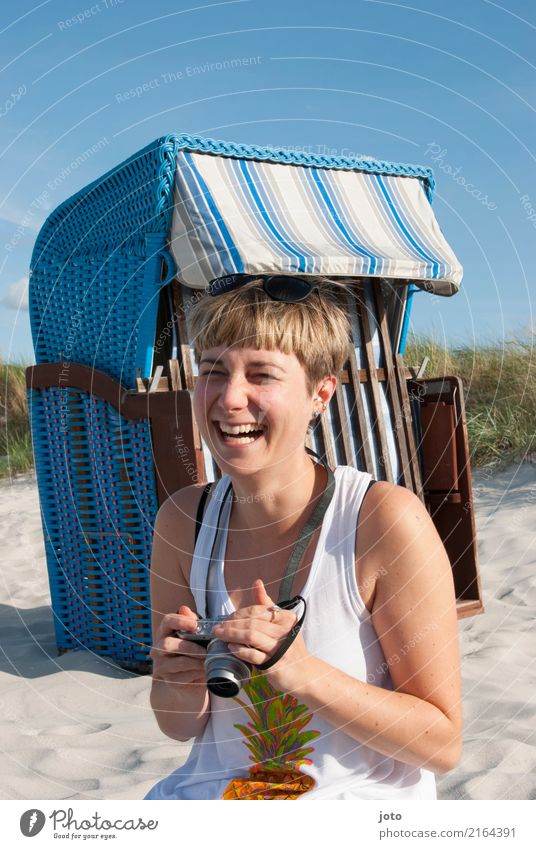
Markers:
point(254, 633)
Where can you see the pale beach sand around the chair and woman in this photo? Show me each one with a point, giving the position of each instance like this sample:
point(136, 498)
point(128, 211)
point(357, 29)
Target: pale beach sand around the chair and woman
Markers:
point(78, 727)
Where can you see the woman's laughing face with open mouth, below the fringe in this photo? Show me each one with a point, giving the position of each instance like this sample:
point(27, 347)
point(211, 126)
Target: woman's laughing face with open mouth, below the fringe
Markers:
point(252, 407)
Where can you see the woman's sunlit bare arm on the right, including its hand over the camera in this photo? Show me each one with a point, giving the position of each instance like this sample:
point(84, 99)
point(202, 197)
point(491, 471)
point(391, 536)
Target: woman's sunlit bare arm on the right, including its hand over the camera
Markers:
point(414, 616)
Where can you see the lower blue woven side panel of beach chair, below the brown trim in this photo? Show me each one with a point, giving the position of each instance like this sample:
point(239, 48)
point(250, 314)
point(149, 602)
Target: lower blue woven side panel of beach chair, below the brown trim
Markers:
point(98, 501)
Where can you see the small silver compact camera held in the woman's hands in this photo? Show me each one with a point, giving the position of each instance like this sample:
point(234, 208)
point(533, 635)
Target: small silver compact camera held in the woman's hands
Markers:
point(224, 672)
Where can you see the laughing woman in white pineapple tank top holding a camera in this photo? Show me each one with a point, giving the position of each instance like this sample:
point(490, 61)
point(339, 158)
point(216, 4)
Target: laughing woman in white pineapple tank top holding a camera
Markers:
point(365, 702)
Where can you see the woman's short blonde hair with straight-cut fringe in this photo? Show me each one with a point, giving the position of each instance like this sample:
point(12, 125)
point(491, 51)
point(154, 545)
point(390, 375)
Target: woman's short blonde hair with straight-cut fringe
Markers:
point(316, 330)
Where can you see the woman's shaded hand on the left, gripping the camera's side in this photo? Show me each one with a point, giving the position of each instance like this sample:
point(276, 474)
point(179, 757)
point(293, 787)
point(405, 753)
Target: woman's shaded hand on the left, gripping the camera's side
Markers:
point(178, 661)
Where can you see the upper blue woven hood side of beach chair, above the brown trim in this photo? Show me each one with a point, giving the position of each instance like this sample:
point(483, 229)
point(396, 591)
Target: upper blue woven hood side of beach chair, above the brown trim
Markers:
point(96, 269)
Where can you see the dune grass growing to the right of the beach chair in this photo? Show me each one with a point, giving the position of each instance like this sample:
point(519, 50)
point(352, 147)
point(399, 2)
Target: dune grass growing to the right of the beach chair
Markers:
point(500, 394)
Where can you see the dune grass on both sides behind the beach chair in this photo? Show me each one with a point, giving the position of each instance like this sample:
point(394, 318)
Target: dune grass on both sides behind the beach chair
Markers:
point(500, 398)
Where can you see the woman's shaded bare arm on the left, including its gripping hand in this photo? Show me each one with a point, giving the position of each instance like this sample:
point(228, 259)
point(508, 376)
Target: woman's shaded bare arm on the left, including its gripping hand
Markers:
point(179, 697)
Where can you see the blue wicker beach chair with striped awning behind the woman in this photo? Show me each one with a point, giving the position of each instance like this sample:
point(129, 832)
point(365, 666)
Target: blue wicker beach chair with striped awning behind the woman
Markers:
point(114, 271)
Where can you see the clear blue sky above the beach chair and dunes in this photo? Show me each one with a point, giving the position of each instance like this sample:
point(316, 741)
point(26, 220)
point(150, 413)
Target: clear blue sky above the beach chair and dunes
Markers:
point(451, 86)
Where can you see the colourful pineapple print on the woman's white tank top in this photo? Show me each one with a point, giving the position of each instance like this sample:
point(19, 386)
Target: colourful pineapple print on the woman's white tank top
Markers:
point(277, 740)
